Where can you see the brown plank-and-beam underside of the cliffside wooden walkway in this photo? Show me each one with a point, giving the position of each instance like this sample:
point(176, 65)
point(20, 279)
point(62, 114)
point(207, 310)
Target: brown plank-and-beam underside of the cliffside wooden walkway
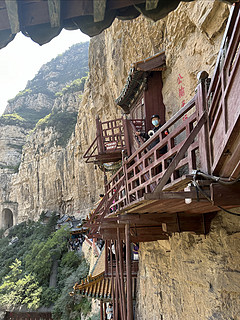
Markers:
point(168, 213)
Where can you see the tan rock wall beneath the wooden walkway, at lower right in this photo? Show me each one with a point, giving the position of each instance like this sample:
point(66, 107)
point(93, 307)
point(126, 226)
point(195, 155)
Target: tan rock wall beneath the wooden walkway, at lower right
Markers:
point(192, 277)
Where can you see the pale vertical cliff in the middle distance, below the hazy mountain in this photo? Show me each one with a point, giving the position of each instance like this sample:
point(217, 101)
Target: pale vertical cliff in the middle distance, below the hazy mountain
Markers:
point(47, 174)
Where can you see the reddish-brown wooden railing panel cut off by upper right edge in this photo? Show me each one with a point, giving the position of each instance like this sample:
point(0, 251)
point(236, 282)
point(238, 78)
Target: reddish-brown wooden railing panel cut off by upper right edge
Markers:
point(223, 101)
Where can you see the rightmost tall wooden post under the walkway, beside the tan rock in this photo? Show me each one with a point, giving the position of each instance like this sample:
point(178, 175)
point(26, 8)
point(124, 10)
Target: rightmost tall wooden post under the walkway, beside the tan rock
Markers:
point(129, 274)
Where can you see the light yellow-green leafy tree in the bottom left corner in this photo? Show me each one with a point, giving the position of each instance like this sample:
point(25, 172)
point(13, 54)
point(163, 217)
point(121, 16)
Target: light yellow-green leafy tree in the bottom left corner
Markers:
point(18, 289)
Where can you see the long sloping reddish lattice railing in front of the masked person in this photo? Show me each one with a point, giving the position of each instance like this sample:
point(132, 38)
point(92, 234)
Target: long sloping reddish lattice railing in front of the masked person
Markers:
point(147, 170)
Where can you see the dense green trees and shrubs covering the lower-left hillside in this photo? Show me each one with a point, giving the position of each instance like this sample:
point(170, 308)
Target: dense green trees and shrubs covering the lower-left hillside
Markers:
point(26, 265)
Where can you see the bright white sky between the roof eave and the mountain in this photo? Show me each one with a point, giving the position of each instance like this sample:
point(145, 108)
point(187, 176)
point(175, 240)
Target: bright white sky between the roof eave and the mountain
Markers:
point(21, 59)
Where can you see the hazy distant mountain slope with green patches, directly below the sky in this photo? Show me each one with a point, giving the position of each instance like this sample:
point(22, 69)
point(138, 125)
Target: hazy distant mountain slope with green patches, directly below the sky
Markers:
point(63, 73)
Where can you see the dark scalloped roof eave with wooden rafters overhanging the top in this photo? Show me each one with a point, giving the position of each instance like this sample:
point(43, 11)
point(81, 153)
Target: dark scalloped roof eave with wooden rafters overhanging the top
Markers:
point(42, 20)
